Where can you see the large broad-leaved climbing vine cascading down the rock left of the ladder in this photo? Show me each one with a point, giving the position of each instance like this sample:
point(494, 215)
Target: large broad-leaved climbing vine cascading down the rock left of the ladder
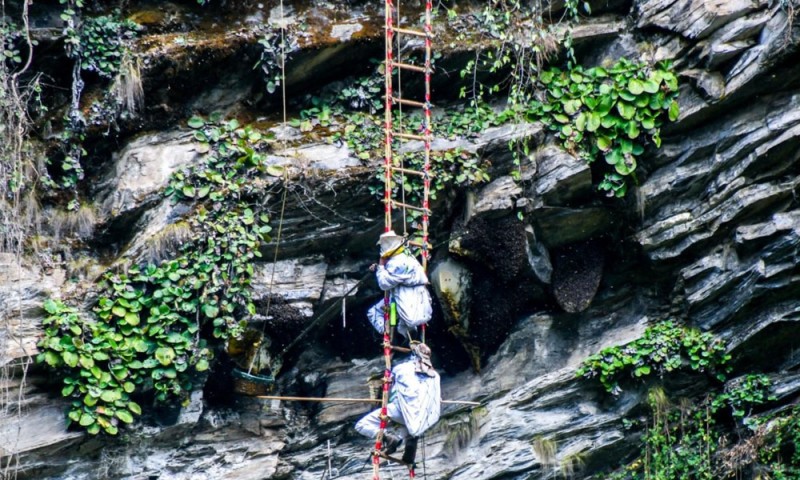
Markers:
point(152, 324)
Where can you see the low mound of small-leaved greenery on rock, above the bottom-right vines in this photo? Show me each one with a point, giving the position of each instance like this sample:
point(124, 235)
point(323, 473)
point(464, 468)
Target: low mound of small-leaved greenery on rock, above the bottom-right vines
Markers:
point(663, 347)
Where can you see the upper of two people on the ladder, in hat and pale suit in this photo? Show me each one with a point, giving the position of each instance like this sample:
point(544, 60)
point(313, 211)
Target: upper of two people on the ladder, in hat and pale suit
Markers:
point(401, 274)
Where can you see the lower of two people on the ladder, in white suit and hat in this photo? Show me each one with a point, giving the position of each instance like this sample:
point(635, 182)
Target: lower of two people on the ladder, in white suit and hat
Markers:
point(415, 404)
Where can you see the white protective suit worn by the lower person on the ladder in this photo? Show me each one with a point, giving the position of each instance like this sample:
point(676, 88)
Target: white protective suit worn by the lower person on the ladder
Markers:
point(415, 403)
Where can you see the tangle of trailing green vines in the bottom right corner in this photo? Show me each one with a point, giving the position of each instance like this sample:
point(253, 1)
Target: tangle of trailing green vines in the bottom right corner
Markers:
point(688, 440)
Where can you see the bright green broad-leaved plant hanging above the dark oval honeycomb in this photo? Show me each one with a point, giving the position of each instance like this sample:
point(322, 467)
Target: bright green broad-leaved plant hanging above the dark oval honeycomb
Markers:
point(608, 113)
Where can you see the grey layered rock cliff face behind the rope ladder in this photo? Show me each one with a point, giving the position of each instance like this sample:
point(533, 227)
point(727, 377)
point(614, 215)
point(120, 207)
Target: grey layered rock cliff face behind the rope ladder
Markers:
point(709, 237)
